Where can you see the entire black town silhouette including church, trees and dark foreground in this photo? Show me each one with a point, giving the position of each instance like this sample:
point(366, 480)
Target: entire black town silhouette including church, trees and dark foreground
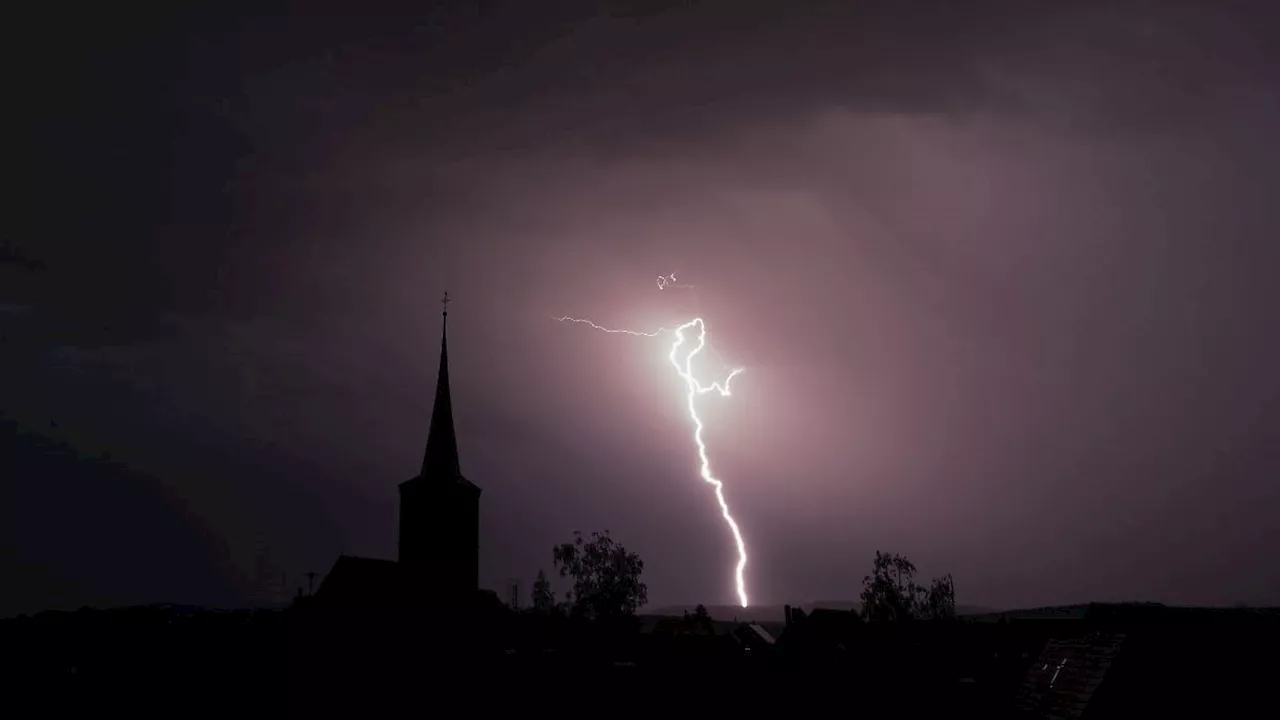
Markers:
point(420, 635)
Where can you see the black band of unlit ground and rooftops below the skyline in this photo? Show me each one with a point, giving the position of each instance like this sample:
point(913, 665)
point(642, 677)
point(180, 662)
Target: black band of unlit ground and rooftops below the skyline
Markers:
point(1117, 662)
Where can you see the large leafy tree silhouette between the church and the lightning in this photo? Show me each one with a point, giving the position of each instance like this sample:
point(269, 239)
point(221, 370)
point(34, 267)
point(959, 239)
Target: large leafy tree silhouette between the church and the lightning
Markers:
point(606, 577)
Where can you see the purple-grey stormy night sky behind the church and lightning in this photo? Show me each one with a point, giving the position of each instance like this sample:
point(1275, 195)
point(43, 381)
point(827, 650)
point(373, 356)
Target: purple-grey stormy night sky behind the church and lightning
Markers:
point(1003, 277)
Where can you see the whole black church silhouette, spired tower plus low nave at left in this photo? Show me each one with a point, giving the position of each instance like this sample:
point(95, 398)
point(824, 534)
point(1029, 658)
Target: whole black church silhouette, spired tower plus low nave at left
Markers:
point(440, 530)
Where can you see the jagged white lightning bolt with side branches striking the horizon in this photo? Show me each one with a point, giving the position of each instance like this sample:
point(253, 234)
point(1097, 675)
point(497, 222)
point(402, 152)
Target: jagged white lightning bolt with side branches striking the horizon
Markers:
point(694, 389)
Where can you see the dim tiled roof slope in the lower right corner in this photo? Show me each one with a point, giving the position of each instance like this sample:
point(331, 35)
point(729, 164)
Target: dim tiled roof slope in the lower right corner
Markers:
point(1066, 676)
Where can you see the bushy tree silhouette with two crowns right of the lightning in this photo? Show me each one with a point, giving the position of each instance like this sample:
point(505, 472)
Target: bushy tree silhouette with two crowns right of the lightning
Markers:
point(890, 593)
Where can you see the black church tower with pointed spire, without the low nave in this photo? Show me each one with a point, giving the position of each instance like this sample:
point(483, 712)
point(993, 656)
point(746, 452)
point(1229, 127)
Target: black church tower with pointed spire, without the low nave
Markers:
point(440, 521)
